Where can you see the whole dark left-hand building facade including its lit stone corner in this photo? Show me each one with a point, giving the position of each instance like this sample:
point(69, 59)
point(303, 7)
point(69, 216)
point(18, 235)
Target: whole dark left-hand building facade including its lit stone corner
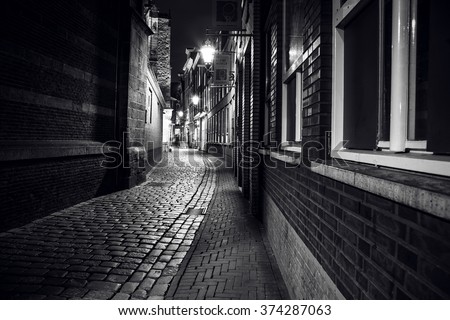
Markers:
point(80, 111)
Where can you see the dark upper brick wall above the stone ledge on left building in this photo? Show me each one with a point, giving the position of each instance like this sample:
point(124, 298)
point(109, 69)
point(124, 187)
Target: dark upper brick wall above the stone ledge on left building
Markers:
point(52, 51)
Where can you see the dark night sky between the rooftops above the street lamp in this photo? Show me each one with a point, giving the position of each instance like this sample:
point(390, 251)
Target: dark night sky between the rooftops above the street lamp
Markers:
point(190, 18)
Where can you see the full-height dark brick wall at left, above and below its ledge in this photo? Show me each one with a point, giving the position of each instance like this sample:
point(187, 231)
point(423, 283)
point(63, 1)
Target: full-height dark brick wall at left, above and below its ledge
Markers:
point(57, 82)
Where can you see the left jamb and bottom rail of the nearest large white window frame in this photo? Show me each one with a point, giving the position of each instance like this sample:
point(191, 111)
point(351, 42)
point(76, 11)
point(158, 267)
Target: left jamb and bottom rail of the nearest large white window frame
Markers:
point(419, 161)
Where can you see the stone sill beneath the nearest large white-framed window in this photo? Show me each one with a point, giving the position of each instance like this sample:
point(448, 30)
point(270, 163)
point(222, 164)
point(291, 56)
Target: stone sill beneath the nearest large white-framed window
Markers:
point(426, 193)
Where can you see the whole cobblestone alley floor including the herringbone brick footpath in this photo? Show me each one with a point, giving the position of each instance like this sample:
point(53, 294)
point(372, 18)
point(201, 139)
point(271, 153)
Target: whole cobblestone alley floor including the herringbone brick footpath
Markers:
point(141, 243)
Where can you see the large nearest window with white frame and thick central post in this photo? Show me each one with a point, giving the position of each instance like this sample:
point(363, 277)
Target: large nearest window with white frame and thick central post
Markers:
point(391, 93)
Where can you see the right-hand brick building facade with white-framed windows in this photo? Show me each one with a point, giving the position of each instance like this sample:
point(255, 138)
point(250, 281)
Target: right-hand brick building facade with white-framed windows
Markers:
point(340, 145)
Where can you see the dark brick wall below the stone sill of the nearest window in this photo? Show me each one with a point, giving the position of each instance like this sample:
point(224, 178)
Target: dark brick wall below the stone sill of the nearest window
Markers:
point(369, 246)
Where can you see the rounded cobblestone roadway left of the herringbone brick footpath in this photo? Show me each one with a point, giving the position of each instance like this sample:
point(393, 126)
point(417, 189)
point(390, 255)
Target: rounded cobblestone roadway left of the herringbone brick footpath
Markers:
point(126, 245)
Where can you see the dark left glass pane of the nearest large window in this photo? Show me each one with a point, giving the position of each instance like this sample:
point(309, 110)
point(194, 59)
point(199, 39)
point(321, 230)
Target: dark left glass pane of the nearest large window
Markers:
point(361, 80)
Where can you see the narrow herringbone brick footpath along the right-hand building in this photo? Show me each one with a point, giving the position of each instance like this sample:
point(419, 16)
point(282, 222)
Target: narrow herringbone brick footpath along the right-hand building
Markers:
point(230, 259)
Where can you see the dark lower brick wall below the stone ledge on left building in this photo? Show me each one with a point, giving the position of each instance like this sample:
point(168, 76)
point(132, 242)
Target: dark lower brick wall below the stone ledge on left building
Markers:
point(33, 189)
